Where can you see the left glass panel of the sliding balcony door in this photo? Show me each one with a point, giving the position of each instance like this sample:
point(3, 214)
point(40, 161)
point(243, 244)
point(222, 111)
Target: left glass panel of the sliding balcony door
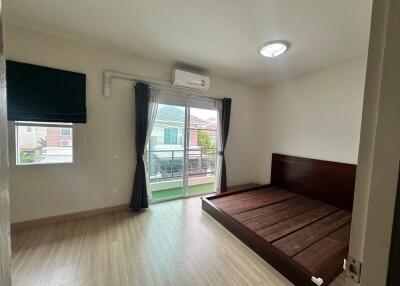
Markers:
point(165, 160)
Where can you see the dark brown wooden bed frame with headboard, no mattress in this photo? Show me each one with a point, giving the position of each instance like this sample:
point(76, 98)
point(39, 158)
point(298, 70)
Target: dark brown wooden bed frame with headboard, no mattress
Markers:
point(300, 223)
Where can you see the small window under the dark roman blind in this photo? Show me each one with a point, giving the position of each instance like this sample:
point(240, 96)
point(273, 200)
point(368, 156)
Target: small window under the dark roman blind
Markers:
point(43, 143)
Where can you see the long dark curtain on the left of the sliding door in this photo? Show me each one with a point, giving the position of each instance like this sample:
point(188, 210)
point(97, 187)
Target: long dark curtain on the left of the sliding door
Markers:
point(139, 199)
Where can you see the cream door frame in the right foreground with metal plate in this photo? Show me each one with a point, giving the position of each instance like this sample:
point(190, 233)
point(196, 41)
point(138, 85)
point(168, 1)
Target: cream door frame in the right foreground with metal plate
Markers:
point(377, 183)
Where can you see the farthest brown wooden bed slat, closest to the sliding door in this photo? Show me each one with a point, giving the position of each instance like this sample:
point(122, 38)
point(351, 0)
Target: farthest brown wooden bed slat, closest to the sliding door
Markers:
point(267, 198)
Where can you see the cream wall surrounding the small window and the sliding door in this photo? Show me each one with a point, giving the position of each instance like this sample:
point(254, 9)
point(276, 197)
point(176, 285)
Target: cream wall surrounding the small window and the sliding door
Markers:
point(42, 191)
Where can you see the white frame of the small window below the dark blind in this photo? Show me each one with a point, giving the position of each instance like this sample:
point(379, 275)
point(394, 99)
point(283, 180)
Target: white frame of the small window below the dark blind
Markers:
point(16, 124)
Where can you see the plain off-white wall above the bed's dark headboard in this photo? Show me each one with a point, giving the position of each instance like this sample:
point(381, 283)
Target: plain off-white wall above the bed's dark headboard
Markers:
point(315, 116)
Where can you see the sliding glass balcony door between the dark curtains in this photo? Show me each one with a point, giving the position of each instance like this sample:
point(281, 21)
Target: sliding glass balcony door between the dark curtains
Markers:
point(181, 154)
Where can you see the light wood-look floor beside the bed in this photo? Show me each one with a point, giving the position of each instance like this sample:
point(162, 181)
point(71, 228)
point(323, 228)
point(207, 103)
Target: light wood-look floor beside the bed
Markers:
point(174, 243)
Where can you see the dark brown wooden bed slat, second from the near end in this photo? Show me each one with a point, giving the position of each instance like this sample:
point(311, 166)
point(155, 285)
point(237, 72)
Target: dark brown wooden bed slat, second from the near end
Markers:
point(295, 242)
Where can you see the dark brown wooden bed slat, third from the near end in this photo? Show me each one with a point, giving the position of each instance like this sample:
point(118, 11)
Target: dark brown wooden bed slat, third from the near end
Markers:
point(284, 228)
